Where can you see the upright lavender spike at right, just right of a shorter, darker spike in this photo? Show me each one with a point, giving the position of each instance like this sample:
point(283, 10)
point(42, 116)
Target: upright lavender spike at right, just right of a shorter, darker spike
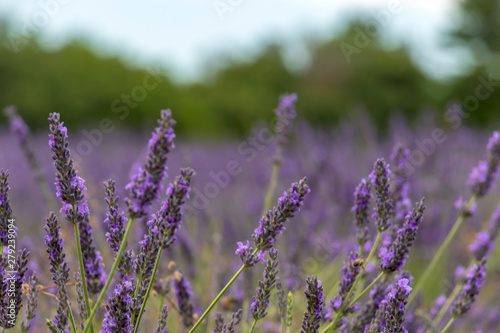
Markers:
point(384, 206)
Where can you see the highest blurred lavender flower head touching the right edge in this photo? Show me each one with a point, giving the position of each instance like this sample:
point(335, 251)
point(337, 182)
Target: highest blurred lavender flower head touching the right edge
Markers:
point(485, 173)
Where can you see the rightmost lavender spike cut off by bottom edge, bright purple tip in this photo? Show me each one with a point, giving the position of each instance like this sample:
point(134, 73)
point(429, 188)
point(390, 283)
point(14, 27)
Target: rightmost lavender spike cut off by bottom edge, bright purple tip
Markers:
point(395, 307)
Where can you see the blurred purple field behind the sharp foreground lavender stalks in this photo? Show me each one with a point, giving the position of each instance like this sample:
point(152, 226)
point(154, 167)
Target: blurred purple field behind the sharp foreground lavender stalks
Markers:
point(227, 200)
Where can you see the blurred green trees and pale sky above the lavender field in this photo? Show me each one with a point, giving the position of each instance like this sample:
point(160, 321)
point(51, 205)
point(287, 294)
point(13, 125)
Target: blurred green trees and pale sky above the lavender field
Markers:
point(221, 64)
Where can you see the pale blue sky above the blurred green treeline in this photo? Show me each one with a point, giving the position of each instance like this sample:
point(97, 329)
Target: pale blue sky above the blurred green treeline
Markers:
point(188, 36)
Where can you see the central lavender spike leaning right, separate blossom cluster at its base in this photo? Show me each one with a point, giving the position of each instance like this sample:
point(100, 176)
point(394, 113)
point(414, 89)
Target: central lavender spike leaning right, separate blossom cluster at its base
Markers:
point(273, 223)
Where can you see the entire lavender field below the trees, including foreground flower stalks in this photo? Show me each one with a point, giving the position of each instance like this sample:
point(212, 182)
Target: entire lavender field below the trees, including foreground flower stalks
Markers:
point(291, 229)
